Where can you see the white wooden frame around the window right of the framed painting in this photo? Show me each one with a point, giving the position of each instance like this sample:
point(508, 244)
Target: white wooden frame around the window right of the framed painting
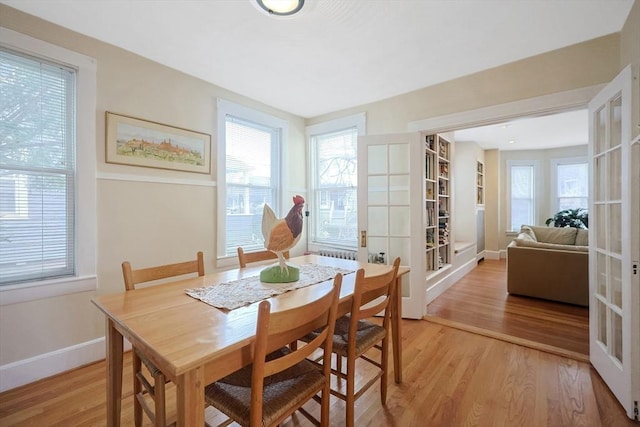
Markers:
point(227, 108)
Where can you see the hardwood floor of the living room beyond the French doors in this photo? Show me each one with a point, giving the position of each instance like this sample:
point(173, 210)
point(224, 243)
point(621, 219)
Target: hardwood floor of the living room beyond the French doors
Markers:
point(479, 302)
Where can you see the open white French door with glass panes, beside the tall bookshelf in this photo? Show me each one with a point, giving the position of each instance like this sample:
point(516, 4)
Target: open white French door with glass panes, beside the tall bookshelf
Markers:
point(389, 210)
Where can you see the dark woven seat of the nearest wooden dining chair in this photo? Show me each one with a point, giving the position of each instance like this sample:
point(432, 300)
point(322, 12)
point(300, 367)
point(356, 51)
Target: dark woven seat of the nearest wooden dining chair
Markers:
point(232, 394)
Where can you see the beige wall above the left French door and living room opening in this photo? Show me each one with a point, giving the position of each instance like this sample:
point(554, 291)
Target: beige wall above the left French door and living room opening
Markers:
point(585, 64)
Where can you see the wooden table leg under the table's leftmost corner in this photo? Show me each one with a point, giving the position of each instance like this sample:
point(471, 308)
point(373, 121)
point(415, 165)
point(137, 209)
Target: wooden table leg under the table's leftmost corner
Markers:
point(114, 344)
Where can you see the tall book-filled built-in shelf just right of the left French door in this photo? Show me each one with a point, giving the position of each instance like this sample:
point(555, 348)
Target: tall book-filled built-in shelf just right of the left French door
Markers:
point(437, 201)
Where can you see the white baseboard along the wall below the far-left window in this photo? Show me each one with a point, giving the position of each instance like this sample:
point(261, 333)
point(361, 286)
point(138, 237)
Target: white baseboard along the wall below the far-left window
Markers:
point(35, 368)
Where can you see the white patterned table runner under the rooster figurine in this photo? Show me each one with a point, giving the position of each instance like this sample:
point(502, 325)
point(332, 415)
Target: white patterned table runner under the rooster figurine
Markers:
point(238, 293)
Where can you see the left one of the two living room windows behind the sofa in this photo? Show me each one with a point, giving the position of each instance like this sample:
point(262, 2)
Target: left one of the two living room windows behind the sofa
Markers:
point(521, 187)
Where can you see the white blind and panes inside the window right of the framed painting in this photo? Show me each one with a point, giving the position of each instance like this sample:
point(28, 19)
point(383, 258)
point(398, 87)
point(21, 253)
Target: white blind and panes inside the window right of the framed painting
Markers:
point(252, 179)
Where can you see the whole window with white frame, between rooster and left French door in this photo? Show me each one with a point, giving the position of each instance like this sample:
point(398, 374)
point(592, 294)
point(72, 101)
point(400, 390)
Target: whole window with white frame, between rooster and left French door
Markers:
point(334, 182)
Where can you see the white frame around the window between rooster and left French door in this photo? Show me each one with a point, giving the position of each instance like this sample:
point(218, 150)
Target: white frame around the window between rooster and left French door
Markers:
point(357, 121)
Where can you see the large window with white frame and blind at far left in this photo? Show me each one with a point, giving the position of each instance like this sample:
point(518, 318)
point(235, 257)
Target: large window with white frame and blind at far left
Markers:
point(47, 170)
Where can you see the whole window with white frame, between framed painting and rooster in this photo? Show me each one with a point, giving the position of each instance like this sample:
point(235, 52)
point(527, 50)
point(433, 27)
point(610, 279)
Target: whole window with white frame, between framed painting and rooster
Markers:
point(249, 176)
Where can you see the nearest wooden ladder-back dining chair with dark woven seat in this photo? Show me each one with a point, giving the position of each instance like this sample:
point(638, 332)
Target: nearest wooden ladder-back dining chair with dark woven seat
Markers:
point(278, 383)
